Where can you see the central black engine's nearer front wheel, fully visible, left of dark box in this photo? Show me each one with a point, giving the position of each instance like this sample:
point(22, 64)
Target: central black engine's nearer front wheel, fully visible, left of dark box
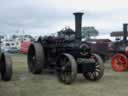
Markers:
point(67, 68)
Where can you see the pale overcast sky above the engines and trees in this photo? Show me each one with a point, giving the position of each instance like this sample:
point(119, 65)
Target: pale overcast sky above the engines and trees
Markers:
point(48, 16)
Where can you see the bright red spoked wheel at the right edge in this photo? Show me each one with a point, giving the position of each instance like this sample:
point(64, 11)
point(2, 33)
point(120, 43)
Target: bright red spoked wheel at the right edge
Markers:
point(119, 62)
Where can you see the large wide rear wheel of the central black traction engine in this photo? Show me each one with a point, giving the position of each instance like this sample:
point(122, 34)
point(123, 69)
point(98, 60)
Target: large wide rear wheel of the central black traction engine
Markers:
point(36, 58)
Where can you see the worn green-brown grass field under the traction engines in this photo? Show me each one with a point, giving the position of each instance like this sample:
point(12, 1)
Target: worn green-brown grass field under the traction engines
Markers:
point(26, 84)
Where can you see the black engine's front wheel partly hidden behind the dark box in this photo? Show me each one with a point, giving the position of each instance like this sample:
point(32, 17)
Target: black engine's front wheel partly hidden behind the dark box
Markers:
point(99, 72)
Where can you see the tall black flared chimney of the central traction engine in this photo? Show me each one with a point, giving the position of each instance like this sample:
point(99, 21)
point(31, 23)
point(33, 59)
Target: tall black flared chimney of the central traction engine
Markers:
point(78, 22)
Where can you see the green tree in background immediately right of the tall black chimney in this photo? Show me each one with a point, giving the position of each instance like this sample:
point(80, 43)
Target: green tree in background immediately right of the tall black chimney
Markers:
point(88, 32)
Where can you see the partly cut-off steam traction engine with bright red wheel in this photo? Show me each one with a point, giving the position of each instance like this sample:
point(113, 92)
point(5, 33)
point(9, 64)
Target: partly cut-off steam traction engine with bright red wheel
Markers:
point(119, 50)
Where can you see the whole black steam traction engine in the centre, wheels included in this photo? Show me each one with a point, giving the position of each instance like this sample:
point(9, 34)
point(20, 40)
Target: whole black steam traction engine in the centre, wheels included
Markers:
point(66, 54)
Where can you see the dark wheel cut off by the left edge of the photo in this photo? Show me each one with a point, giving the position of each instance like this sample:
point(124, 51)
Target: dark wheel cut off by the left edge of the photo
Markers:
point(6, 67)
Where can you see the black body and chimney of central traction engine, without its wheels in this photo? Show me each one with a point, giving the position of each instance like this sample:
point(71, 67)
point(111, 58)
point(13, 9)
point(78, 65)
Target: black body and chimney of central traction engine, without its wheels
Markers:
point(68, 41)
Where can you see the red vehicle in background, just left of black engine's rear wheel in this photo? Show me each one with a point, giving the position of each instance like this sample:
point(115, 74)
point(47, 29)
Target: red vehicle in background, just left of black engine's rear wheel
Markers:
point(24, 47)
